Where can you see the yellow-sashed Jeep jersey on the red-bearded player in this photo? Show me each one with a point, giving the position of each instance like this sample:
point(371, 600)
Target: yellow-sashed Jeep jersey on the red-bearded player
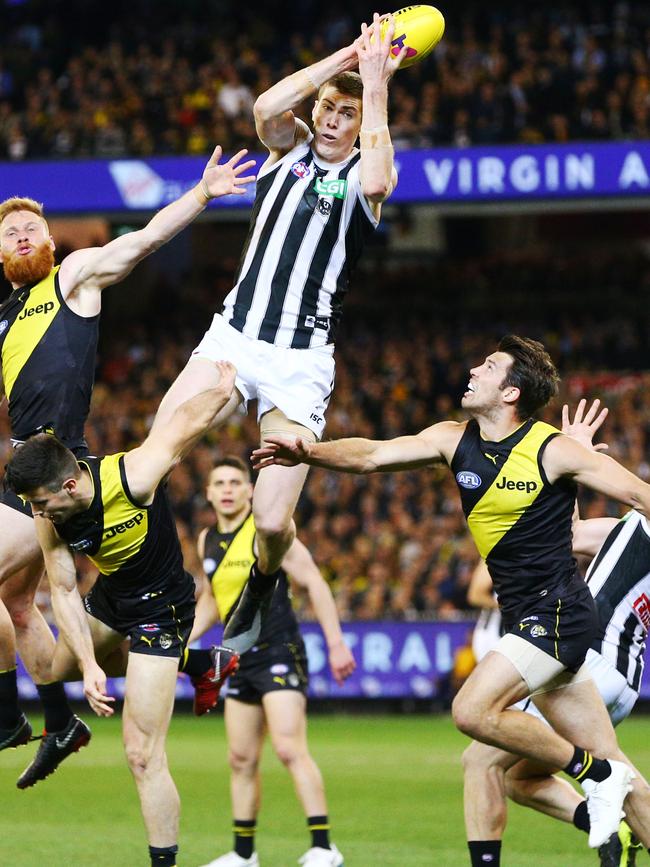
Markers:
point(48, 361)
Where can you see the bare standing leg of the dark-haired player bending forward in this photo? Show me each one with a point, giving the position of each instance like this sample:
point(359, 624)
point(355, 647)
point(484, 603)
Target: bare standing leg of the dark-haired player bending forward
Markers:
point(148, 705)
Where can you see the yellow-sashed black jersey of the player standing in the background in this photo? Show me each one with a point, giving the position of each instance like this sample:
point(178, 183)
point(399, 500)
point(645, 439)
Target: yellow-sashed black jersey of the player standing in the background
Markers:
point(227, 561)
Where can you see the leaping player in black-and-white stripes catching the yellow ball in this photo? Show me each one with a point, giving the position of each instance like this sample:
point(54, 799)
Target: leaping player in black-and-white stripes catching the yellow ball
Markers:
point(318, 198)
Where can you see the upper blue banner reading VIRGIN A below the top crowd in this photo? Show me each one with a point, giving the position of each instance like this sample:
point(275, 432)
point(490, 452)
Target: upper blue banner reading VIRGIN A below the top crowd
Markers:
point(441, 175)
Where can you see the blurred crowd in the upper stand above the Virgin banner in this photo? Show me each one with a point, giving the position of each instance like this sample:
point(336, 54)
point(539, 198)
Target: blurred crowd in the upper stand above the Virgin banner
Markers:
point(557, 73)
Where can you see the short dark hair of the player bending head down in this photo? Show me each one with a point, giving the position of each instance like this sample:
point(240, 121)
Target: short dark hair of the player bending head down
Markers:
point(43, 461)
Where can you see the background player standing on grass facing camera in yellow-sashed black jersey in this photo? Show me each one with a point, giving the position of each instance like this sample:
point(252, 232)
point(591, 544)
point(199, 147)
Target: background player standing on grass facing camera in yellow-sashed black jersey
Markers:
point(268, 691)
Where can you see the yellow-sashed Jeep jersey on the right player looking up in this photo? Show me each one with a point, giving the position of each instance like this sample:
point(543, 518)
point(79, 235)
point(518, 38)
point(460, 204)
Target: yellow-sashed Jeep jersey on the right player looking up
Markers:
point(520, 522)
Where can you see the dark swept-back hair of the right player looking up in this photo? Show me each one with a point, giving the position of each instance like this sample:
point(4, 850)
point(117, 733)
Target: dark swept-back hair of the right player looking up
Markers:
point(532, 372)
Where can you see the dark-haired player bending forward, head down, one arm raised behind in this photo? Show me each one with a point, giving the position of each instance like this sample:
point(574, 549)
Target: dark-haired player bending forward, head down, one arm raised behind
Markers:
point(114, 510)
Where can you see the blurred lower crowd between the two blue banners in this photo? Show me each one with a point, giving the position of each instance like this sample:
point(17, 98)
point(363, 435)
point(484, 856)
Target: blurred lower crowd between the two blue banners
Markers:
point(392, 546)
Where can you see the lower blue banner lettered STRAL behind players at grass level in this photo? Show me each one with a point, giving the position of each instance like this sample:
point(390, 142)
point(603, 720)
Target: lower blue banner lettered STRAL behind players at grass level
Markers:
point(394, 660)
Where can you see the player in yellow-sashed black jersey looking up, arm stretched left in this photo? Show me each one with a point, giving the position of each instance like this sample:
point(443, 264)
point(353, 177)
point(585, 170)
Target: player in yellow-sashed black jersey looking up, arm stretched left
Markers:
point(517, 481)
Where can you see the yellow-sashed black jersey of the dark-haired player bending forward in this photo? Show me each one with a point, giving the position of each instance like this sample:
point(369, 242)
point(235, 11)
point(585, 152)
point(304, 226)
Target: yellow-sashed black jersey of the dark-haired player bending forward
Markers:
point(135, 547)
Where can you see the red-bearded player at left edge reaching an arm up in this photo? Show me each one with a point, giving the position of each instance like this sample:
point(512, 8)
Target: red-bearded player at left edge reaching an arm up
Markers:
point(48, 341)
